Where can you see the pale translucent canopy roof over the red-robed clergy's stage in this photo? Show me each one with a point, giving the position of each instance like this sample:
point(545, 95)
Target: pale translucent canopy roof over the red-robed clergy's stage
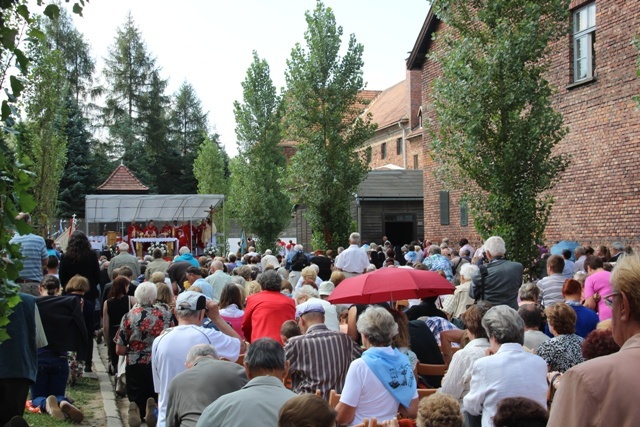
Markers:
point(126, 208)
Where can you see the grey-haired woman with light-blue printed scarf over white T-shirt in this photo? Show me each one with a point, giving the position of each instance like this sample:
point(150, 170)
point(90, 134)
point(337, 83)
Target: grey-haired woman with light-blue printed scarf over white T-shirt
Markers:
point(381, 383)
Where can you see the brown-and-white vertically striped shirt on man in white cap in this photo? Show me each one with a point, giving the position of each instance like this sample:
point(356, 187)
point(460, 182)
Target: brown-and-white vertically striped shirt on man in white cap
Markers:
point(320, 359)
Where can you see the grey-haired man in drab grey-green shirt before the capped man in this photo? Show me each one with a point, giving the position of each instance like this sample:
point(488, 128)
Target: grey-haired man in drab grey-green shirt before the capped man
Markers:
point(205, 380)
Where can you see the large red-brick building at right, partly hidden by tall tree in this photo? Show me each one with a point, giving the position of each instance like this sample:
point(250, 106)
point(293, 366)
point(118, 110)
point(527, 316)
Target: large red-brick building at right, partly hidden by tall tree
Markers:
point(598, 196)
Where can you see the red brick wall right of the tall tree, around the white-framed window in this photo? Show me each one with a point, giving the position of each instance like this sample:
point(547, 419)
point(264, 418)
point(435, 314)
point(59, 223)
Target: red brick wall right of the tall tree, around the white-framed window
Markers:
point(598, 197)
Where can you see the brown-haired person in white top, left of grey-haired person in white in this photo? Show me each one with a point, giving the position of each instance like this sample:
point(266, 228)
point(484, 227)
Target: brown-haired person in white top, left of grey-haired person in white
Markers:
point(458, 379)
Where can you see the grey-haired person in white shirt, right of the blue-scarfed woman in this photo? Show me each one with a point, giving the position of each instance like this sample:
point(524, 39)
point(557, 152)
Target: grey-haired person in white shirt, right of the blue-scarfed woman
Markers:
point(522, 374)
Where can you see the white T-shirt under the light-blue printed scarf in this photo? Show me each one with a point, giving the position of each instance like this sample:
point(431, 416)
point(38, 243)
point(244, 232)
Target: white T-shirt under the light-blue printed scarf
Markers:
point(364, 391)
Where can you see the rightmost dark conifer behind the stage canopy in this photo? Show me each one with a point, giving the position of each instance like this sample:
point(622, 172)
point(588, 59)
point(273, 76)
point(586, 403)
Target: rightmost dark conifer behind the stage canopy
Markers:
point(188, 130)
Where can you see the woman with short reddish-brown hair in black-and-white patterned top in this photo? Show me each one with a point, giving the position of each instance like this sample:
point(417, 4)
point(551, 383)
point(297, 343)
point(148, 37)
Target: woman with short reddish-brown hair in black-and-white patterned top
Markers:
point(564, 350)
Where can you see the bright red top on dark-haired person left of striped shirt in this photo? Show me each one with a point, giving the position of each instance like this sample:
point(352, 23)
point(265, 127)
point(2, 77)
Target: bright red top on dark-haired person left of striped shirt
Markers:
point(265, 313)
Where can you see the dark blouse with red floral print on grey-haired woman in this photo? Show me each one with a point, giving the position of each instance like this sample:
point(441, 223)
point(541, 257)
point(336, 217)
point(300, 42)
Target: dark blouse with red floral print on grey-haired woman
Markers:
point(139, 327)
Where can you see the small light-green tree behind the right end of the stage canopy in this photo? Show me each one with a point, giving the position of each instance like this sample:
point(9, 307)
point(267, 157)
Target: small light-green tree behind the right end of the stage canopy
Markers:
point(209, 168)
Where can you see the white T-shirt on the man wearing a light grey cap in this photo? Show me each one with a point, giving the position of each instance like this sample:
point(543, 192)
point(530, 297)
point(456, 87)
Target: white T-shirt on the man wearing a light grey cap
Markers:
point(169, 355)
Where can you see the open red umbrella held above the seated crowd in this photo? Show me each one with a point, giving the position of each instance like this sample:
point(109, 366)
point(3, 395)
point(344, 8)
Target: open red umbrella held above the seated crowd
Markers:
point(390, 284)
